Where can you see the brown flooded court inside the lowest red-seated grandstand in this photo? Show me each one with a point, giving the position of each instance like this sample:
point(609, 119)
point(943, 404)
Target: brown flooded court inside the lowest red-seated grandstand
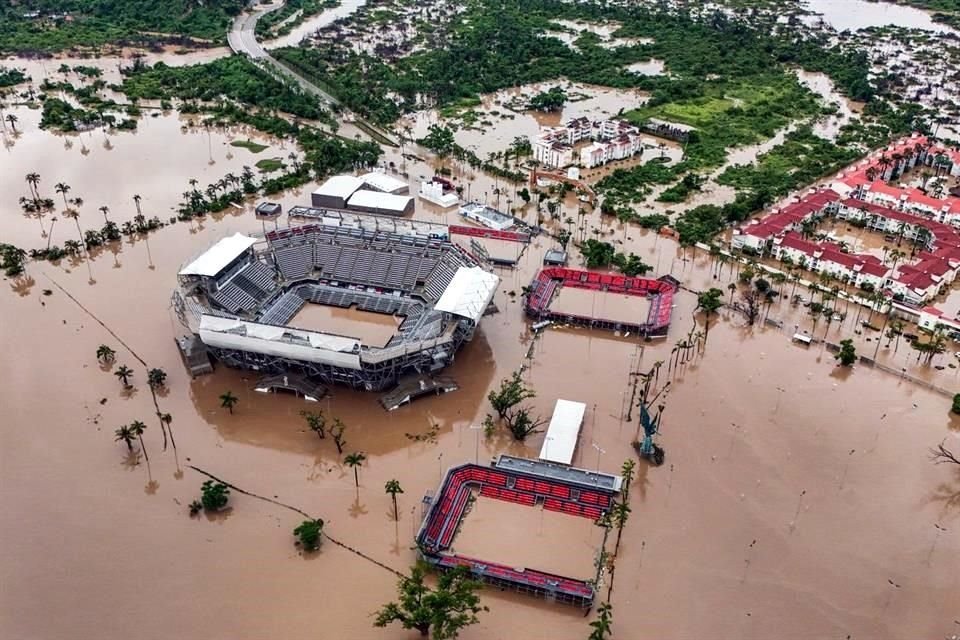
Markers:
point(552, 542)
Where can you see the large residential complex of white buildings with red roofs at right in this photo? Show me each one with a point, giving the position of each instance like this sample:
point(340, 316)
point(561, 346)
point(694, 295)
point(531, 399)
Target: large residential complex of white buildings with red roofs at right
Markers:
point(931, 226)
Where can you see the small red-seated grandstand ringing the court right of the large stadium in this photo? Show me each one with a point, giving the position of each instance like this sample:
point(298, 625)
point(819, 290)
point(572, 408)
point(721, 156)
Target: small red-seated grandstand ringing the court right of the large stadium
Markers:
point(549, 282)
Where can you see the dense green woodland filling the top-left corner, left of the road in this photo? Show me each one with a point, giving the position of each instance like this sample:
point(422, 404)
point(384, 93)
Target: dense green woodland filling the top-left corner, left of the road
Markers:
point(47, 26)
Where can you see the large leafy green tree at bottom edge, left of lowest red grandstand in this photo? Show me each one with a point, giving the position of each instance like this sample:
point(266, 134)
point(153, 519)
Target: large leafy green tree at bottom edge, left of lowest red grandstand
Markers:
point(445, 611)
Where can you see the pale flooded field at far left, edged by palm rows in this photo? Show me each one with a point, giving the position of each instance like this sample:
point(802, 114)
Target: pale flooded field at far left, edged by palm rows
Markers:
point(109, 168)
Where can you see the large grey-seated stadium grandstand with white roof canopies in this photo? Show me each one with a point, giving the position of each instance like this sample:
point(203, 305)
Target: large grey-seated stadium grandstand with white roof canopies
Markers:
point(241, 298)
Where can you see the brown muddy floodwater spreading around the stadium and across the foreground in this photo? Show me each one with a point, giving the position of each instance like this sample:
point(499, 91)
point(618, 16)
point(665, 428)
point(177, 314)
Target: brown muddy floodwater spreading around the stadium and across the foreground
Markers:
point(792, 496)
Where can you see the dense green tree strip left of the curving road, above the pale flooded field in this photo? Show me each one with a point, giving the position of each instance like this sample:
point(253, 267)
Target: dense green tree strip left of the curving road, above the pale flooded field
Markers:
point(234, 77)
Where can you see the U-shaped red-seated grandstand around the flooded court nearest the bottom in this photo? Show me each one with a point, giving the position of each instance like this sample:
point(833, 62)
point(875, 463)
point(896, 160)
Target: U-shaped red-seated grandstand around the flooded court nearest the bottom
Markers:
point(555, 488)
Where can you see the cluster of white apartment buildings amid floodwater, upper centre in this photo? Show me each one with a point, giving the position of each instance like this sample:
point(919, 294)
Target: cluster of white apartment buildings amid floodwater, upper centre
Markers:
point(610, 140)
